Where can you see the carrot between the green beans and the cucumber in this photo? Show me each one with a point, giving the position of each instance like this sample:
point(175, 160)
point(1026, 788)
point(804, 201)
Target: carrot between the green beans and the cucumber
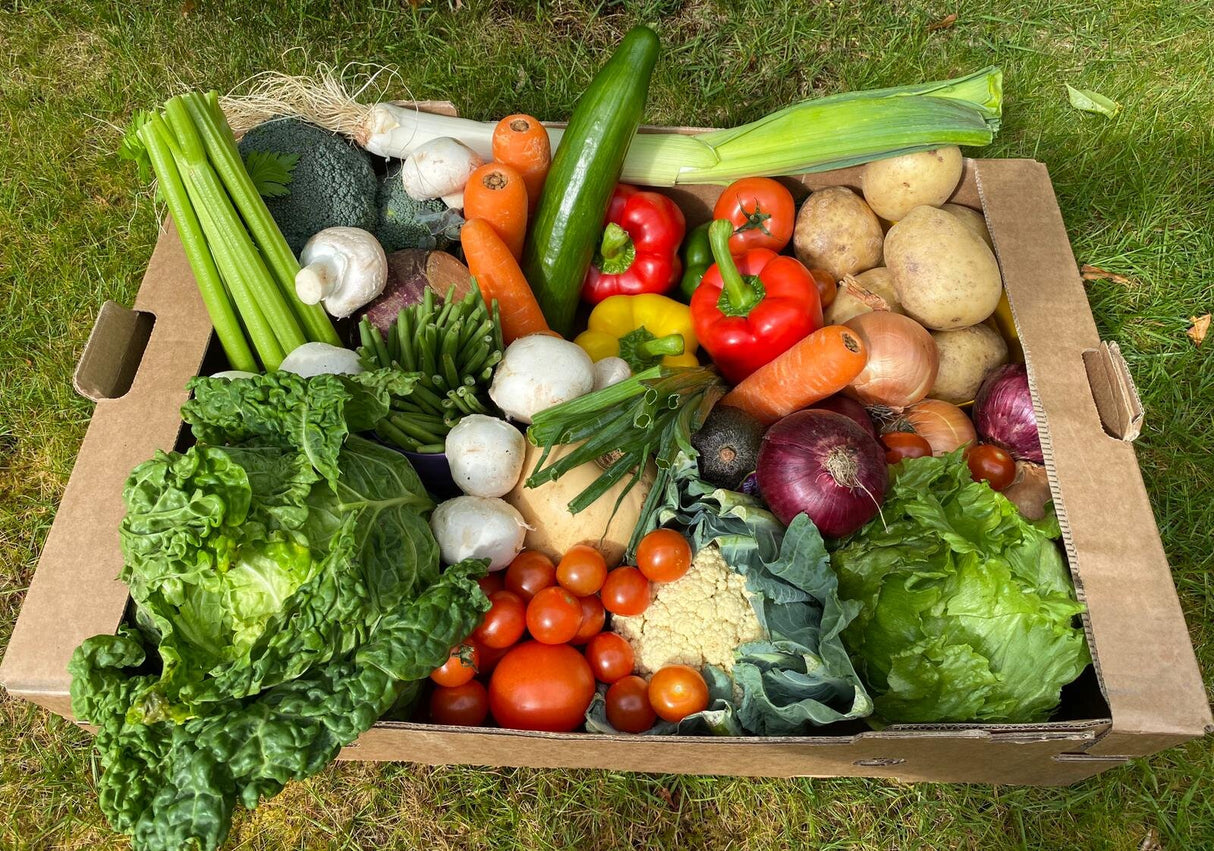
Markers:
point(500, 279)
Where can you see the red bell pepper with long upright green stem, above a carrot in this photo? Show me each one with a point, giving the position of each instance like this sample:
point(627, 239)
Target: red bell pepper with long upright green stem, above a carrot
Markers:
point(751, 309)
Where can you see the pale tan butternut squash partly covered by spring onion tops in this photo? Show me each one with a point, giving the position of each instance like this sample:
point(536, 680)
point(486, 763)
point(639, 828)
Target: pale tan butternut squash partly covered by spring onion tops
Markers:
point(554, 530)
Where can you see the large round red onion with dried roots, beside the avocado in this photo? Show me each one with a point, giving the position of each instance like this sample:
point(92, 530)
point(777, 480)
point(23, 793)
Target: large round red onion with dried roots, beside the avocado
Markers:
point(825, 466)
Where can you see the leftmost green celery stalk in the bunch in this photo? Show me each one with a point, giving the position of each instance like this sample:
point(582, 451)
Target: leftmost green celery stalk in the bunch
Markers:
point(194, 242)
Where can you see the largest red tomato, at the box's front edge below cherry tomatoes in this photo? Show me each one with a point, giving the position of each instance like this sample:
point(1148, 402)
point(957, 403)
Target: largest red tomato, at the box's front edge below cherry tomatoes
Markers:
point(542, 688)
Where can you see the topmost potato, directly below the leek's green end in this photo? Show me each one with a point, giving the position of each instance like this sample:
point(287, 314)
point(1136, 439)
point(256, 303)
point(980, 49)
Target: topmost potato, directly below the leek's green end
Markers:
point(895, 186)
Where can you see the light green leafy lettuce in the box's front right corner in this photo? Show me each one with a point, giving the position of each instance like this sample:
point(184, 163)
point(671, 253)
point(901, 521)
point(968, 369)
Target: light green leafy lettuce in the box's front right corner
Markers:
point(968, 612)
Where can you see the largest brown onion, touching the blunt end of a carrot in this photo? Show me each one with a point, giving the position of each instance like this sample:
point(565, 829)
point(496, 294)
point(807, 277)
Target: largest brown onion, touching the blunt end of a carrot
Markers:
point(903, 360)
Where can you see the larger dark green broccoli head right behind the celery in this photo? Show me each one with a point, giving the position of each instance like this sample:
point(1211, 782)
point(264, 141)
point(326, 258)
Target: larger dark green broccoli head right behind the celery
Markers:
point(333, 184)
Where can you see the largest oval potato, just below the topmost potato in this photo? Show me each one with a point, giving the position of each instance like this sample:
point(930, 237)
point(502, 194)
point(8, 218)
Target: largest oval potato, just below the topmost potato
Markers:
point(946, 277)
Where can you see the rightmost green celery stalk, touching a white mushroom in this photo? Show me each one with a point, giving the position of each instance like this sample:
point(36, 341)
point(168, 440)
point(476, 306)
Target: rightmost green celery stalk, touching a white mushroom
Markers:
point(225, 157)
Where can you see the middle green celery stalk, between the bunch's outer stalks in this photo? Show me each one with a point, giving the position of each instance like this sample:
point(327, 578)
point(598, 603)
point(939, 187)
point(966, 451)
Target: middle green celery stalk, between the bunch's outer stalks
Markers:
point(212, 195)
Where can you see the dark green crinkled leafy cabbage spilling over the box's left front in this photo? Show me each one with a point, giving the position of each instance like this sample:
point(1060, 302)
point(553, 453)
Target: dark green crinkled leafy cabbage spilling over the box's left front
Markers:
point(287, 594)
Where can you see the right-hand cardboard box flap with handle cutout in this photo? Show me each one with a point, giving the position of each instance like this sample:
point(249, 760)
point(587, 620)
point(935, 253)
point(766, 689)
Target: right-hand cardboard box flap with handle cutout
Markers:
point(1143, 645)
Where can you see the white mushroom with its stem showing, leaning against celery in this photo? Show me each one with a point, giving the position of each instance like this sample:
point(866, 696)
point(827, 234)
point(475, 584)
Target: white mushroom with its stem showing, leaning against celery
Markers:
point(343, 266)
